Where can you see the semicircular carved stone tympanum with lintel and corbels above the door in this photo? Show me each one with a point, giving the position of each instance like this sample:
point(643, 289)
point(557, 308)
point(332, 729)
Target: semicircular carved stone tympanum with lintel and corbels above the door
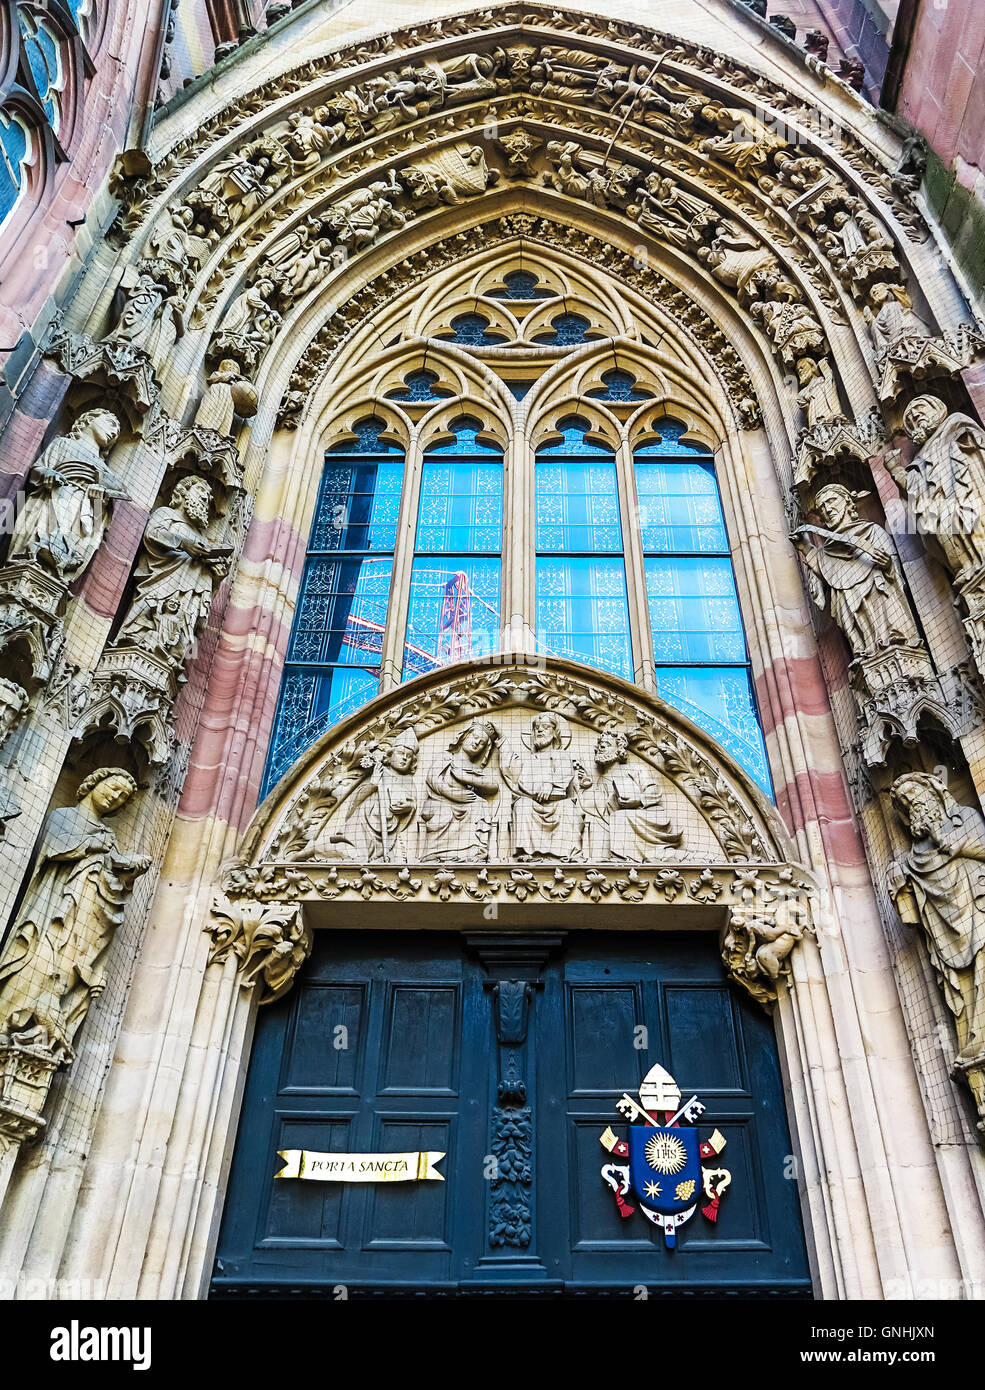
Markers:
point(520, 792)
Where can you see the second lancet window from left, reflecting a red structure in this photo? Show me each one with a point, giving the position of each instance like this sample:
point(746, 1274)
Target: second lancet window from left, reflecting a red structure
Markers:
point(455, 587)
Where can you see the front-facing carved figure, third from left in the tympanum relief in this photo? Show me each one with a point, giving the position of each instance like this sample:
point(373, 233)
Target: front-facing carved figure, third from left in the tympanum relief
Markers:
point(547, 821)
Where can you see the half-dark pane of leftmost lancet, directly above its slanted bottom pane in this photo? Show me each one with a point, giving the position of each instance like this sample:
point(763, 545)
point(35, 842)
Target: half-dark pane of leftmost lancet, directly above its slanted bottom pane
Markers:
point(342, 612)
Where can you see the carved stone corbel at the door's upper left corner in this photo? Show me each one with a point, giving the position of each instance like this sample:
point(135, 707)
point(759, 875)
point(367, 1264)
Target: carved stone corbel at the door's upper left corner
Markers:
point(270, 942)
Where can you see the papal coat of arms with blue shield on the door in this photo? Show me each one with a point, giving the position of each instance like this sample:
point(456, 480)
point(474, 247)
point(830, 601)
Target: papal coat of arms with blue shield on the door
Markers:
point(669, 1168)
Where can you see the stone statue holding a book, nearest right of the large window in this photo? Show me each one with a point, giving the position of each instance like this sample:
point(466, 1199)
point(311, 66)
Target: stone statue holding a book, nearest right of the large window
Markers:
point(856, 562)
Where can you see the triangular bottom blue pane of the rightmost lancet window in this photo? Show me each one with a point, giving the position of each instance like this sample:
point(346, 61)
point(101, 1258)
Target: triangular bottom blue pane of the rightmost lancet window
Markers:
point(722, 704)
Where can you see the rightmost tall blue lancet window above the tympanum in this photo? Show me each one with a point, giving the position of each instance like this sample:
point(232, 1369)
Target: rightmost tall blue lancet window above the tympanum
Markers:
point(700, 646)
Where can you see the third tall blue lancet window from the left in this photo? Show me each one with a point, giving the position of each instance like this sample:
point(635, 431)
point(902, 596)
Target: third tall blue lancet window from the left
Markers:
point(581, 589)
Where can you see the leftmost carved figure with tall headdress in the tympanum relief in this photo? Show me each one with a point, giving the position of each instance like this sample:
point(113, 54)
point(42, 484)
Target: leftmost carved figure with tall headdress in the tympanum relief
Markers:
point(381, 824)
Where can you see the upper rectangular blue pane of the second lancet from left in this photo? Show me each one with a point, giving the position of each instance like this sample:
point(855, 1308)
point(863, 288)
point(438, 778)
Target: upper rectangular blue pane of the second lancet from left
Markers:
point(462, 508)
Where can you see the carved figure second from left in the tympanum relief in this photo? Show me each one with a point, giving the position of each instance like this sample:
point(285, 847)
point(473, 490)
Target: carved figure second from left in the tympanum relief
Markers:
point(459, 812)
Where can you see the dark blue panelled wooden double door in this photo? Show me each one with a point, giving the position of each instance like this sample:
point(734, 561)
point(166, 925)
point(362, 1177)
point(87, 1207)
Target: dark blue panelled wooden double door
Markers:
point(508, 1054)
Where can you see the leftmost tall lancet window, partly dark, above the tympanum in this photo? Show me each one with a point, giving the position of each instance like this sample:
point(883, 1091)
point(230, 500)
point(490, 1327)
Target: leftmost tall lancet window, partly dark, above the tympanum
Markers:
point(337, 640)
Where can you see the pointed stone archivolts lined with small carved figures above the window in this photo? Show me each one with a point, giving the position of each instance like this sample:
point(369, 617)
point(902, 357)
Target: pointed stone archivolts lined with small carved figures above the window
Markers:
point(274, 204)
